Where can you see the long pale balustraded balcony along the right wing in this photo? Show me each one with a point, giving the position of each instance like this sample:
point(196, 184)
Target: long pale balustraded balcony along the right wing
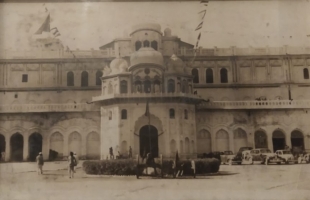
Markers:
point(275, 104)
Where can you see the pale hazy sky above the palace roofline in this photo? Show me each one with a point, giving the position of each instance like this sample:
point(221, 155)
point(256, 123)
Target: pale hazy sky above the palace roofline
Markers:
point(89, 25)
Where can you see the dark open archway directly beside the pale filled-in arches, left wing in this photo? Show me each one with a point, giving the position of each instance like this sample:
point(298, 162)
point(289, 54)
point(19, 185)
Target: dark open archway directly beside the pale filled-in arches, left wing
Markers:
point(34, 145)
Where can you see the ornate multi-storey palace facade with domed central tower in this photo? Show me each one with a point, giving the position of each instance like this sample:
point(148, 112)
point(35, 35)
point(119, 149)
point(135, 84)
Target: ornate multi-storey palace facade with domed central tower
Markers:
point(150, 92)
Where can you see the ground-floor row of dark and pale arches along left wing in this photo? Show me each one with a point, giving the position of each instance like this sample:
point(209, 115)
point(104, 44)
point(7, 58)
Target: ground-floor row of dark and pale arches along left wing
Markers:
point(21, 148)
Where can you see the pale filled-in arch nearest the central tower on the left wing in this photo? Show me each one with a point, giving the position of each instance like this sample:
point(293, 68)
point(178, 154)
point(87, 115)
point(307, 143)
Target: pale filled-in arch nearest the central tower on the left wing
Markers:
point(93, 146)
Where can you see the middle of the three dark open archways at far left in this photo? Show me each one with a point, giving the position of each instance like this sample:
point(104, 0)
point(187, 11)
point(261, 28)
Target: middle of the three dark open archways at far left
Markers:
point(17, 147)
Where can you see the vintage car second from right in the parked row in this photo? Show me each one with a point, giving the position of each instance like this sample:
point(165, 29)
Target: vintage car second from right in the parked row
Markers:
point(280, 156)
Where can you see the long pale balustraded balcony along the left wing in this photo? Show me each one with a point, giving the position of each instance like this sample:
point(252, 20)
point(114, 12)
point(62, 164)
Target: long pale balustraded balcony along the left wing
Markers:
point(38, 108)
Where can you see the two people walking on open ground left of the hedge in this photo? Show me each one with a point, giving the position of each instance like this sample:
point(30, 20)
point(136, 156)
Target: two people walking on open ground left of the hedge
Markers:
point(72, 163)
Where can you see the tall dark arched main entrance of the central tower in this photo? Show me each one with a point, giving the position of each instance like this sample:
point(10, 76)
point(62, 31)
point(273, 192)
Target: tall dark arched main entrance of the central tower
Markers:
point(148, 140)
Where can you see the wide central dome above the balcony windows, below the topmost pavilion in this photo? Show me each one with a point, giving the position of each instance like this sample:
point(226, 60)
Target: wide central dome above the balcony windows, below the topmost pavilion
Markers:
point(146, 56)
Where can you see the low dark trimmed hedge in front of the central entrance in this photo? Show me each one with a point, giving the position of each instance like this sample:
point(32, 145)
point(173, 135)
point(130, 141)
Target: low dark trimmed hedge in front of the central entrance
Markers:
point(129, 166)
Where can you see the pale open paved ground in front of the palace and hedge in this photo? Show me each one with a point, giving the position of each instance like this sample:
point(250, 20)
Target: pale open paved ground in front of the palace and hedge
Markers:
point(20, 181)
